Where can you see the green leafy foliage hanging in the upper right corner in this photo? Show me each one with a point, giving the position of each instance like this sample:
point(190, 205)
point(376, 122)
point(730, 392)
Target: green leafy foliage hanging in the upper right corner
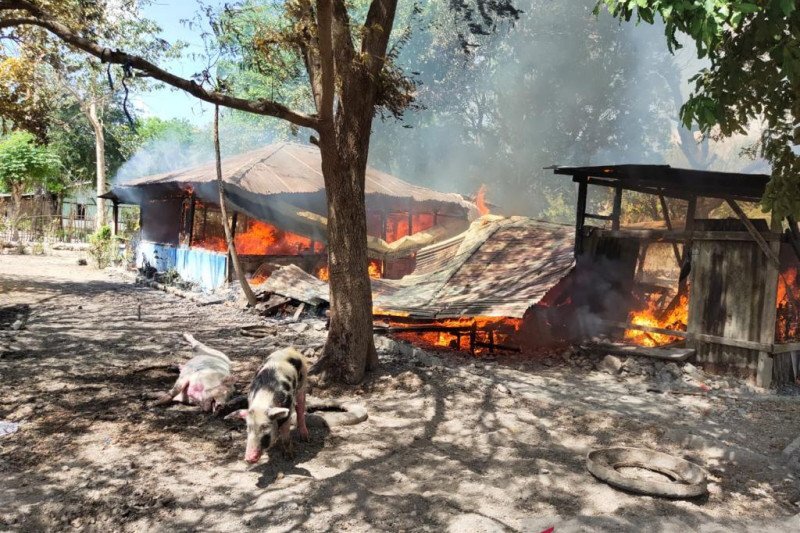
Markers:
point(754, 75)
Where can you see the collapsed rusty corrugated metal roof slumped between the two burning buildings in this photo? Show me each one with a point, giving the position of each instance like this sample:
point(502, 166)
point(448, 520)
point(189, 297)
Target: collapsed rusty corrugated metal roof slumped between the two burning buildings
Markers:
point(499, 267)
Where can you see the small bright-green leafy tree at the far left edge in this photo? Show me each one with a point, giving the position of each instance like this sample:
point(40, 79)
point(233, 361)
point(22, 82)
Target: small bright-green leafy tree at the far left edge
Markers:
point(24, 165)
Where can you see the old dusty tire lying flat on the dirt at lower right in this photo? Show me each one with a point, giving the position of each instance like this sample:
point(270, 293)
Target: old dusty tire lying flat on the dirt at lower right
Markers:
point(688, 479)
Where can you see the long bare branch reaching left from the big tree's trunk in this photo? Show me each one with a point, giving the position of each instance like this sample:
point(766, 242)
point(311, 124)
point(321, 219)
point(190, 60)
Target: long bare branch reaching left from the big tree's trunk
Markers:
point(106, 55)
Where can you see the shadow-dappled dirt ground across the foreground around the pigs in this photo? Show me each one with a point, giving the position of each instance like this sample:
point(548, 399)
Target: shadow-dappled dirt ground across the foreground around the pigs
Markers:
point(451, 444)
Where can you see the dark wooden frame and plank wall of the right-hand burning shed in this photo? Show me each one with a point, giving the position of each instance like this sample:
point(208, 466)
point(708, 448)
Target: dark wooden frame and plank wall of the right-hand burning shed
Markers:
point(734, 266)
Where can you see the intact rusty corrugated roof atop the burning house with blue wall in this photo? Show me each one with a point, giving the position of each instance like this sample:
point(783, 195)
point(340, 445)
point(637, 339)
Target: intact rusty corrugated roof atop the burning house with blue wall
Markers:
point(290, 168)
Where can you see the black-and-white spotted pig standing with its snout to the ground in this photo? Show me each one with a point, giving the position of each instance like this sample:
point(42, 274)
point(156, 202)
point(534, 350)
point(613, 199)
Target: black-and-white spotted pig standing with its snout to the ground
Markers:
point(278, 387)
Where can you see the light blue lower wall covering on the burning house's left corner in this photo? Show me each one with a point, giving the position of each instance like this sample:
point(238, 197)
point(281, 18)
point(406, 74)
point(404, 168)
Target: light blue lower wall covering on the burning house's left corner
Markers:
point(207, 269)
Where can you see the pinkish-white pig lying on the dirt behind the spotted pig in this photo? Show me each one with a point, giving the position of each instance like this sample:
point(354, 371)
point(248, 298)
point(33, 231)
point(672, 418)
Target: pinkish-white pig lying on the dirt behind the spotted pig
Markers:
point(205, 379)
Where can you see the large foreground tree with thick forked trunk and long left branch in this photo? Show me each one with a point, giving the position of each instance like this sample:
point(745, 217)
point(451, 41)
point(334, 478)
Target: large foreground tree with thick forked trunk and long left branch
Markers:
point(350, 75)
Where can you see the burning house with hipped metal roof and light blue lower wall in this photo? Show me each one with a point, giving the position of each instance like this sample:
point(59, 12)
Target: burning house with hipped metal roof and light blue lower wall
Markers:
point(277, 199)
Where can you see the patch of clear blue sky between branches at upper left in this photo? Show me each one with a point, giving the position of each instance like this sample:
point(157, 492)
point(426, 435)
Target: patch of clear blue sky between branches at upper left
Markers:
point(169, 103)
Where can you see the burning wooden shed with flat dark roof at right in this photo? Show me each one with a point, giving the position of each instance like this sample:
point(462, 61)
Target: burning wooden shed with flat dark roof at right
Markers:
point(732, 298)
